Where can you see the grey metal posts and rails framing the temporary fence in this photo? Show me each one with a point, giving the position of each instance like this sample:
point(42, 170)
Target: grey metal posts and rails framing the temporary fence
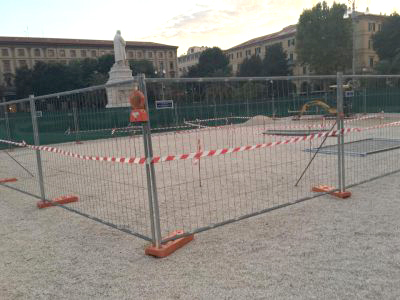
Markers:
point(151, 180)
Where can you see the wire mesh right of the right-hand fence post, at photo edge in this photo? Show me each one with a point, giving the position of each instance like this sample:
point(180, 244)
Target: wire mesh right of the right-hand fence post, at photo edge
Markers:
point(380, 98)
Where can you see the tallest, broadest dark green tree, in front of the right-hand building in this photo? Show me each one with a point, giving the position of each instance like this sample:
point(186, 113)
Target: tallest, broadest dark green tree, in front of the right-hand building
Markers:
point(324, 38)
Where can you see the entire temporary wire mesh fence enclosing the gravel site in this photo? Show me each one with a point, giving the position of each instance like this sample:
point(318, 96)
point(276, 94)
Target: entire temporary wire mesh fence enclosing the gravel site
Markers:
point(215, 151)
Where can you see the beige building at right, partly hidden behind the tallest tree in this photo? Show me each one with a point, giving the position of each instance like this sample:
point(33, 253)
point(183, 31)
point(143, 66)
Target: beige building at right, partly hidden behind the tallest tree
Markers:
point(365, 25)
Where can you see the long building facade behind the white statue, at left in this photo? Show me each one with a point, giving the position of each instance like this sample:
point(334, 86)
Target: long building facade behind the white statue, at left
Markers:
point(16, 52)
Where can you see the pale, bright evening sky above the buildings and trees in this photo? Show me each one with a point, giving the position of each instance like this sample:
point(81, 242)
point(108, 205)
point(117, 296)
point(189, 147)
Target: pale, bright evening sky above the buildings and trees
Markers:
point(222, 23)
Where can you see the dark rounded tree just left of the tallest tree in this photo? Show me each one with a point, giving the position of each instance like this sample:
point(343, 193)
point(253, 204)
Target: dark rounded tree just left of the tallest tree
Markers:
point(275, 62)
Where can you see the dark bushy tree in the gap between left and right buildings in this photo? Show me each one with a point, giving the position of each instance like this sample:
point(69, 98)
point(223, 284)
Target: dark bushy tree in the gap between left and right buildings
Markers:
point(212, 63)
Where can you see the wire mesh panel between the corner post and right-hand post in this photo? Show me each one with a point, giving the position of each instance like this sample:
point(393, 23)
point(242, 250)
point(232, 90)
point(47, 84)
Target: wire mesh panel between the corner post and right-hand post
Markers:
point(210, 116)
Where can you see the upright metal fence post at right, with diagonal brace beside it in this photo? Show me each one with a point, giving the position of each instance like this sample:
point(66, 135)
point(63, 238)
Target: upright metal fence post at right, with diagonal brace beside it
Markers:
point(340, 124)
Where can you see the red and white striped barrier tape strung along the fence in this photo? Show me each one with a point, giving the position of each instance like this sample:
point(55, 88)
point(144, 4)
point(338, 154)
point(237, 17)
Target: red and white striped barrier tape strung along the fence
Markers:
point(199, 154)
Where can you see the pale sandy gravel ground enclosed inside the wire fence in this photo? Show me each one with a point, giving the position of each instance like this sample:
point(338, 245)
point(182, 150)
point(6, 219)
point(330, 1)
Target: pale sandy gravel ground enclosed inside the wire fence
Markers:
point(198, 194)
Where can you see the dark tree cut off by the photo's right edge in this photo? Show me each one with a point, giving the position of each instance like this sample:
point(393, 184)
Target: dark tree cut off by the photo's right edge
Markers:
point(387, 45)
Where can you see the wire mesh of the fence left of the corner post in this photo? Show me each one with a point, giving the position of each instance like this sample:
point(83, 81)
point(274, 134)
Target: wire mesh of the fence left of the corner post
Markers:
point(80, 123)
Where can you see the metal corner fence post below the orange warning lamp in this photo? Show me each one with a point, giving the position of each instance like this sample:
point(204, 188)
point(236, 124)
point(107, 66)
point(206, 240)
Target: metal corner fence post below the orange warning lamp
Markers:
point(150, 171)
